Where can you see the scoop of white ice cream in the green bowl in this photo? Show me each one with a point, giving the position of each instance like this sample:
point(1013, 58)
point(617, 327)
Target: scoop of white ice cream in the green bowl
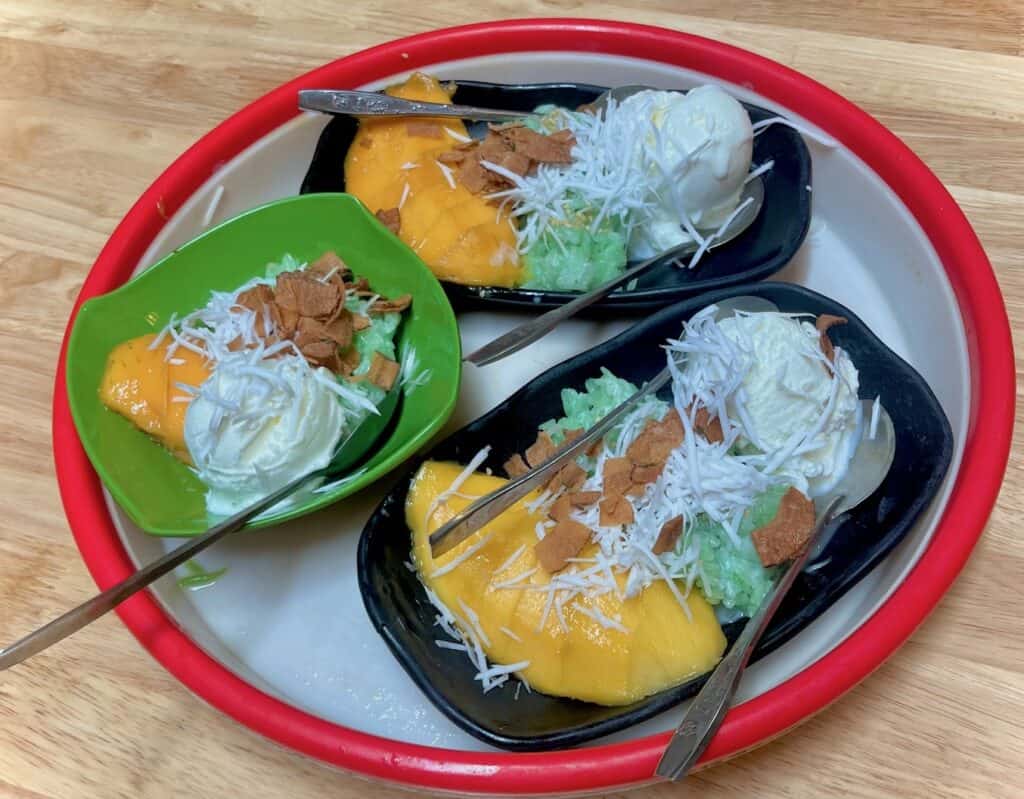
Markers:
point(252, 430)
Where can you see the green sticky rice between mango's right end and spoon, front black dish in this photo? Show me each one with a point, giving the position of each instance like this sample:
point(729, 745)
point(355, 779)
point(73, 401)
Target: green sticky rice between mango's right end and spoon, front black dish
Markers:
point(730, 575)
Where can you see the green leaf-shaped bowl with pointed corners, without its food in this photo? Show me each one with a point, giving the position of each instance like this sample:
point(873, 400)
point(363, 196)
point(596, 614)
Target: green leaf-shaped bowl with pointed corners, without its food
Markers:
point(160, 493)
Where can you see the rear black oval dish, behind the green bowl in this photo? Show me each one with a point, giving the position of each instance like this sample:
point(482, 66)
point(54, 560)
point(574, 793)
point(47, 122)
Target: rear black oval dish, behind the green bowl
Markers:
point(763, 249)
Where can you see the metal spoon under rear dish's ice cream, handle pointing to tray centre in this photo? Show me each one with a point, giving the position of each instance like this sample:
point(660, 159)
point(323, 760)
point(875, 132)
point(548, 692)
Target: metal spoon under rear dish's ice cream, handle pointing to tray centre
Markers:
point(529, 332)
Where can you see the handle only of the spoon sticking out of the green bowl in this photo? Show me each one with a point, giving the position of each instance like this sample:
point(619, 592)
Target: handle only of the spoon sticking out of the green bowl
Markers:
point(89, 612)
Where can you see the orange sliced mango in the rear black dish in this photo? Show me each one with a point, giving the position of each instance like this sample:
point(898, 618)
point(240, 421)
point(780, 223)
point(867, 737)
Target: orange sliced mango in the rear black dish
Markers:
point(460, 236)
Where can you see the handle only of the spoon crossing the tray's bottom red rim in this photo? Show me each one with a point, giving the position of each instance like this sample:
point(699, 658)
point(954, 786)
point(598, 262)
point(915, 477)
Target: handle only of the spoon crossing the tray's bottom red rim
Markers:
point(709, 708)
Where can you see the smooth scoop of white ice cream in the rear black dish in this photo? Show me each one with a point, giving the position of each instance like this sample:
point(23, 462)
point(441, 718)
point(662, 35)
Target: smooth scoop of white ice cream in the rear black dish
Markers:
point(698, 155)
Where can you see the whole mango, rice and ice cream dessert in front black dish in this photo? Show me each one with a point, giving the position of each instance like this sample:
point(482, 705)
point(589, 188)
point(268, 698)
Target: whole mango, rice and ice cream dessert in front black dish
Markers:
point(610, 583)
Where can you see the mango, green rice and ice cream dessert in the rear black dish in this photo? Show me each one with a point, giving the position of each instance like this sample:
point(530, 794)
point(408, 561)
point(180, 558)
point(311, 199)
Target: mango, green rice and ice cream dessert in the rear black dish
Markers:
point(562, 201)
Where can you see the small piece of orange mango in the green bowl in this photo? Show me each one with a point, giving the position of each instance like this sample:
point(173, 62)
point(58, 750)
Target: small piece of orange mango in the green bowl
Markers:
point(140, 385)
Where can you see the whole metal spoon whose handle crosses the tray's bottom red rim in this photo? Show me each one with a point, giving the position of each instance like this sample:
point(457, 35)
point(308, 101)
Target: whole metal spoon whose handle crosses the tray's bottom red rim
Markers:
point(868, 470)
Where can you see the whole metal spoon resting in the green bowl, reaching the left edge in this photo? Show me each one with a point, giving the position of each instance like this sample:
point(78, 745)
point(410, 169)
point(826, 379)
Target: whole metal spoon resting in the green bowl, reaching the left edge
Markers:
point(349, 451)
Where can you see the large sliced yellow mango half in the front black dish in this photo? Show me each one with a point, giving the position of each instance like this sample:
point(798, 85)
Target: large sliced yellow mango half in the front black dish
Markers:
point(663, 648)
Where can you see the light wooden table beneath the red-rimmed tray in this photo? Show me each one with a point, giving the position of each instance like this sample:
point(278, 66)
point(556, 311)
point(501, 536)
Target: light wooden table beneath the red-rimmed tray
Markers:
point(98, 98)
